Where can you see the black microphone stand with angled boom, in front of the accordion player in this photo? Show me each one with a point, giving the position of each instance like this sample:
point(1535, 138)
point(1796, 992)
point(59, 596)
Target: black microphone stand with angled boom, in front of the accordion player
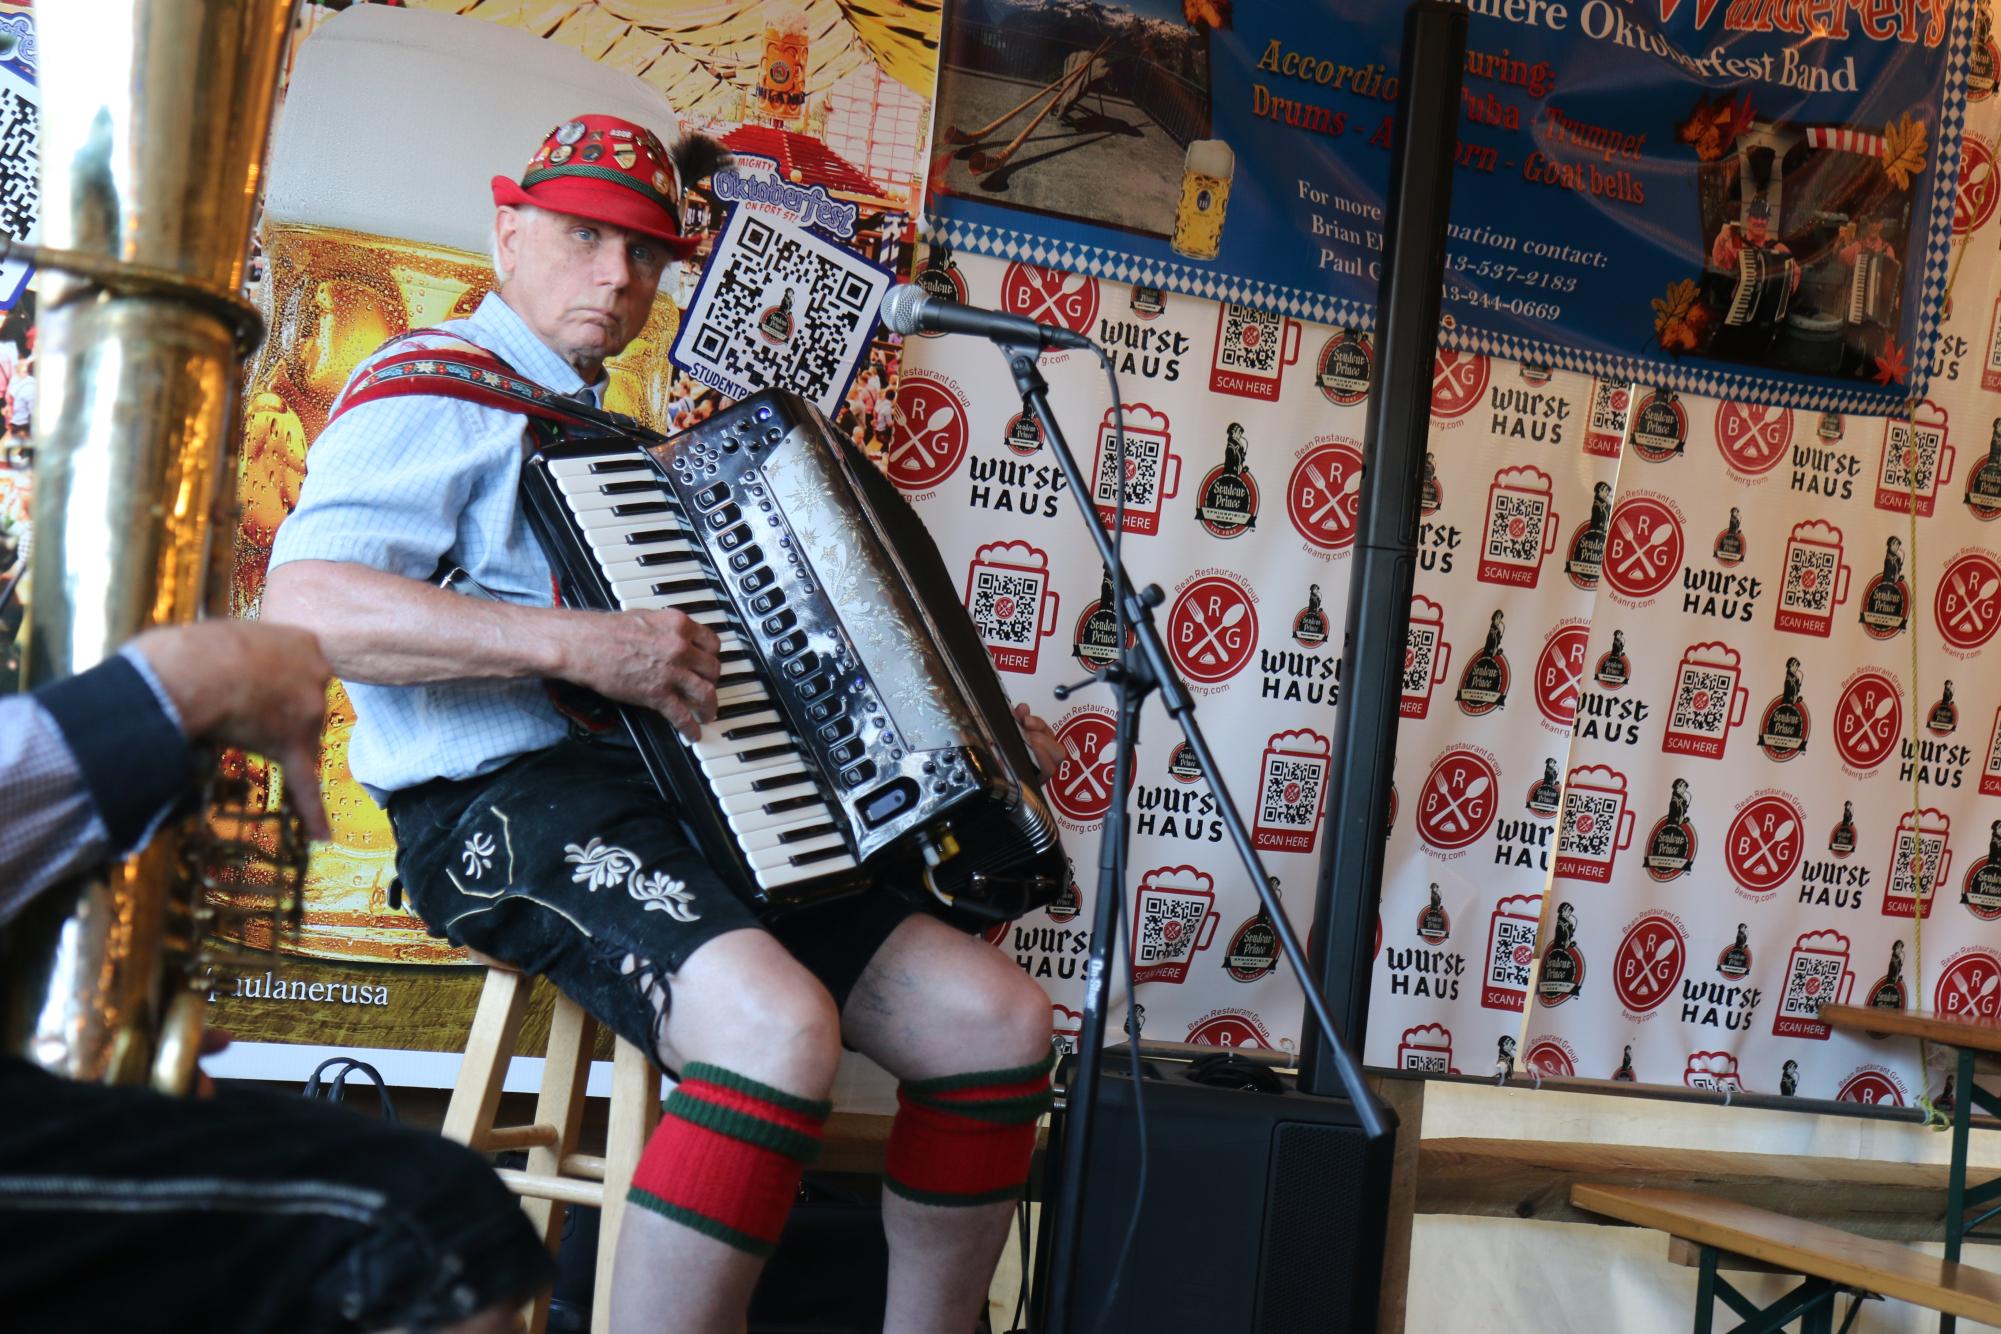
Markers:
point(1132, 679)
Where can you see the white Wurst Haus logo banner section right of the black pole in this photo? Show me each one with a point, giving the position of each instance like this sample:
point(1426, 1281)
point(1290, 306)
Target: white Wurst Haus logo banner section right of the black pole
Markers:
point(1752, 805)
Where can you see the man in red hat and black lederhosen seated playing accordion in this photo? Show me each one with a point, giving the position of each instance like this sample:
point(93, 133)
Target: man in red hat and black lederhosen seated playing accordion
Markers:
point(545, 845)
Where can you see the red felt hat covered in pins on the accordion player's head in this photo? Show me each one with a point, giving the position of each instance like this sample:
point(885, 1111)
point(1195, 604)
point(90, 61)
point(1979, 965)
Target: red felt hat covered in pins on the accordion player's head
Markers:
point(611, 171)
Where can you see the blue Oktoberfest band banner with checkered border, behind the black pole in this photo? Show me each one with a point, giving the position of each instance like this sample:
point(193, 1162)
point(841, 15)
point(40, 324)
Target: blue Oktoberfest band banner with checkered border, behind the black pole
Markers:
point(1744, 201)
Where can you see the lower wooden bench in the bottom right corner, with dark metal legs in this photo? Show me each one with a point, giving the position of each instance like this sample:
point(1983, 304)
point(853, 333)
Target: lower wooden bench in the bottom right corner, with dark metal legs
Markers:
point(1830, 1259)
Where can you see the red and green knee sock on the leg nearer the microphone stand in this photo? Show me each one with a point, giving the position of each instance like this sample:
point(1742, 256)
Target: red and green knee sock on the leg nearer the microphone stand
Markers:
point(967, 1139)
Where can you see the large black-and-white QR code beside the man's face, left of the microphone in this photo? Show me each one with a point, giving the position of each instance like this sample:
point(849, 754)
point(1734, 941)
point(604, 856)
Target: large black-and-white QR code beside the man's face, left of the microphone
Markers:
point(779, 309)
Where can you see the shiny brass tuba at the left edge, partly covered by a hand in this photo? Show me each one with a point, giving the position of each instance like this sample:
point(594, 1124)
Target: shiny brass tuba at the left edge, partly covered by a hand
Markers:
point(155, 119)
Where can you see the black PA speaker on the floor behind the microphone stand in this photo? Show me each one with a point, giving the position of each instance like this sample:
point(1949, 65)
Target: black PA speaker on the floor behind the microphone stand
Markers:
point(1266, 1211)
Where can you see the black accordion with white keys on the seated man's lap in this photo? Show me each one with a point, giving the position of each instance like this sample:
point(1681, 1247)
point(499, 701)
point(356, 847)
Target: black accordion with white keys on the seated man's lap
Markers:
point(861, 725)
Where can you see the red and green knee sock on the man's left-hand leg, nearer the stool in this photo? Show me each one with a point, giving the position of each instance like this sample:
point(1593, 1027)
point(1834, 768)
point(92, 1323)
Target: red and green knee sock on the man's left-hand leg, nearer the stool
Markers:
point(727, 1157)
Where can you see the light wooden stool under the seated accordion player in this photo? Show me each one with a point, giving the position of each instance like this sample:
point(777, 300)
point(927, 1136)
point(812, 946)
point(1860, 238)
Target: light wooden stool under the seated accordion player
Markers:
point(557, 1175)
